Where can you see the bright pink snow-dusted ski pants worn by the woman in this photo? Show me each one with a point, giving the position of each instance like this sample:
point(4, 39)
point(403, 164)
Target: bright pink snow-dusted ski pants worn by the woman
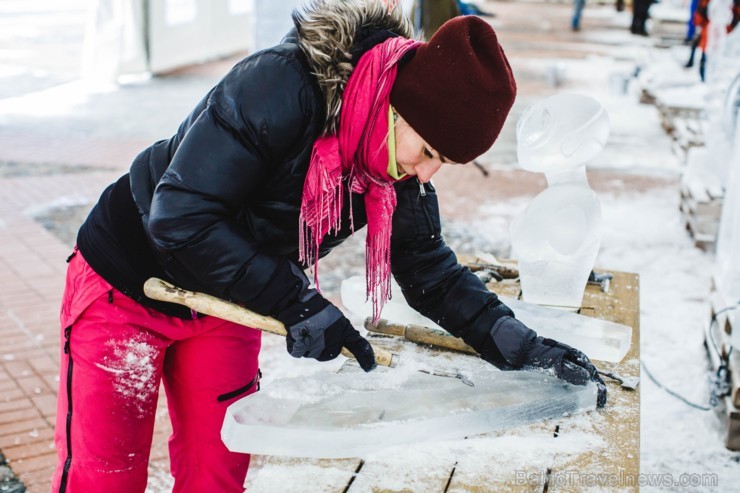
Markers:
point(115, 352)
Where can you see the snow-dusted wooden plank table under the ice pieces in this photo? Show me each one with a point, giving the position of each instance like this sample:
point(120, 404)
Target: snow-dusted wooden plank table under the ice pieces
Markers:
point(599, 450)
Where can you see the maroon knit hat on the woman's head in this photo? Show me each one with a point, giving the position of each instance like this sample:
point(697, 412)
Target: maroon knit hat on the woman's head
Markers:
point(457, 89)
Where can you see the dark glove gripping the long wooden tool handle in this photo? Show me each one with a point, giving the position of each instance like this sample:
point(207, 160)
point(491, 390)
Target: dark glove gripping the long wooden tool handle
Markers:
point(317, 329)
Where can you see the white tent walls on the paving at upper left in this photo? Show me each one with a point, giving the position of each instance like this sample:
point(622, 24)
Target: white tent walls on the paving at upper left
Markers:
point(137, 36)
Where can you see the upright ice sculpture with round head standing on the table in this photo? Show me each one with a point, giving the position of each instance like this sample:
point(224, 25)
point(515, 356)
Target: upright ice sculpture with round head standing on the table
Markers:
point(557, 237)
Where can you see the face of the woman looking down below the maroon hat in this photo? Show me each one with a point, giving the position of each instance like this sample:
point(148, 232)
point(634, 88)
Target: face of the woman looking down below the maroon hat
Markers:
point(414, 156)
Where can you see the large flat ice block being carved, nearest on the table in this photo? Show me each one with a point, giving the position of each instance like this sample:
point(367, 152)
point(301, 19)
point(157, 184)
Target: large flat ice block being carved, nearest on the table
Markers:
point(353, 414)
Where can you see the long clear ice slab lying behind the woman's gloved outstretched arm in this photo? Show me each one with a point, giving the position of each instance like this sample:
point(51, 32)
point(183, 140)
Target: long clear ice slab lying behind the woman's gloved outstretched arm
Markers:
point(599, 339)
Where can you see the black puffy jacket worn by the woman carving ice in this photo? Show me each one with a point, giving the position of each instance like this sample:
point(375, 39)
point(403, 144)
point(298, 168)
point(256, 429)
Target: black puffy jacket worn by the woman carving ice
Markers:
point(215, 208)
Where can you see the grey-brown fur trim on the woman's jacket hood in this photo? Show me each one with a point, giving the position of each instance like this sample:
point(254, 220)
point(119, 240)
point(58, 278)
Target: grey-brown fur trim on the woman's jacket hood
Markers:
point(327, 30)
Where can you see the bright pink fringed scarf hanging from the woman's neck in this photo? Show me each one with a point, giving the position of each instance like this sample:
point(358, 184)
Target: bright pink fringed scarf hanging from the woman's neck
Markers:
point(359, 152)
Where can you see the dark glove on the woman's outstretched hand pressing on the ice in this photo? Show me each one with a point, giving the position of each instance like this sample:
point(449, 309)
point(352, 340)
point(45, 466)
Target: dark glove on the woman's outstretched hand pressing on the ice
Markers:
point(512, 345)
